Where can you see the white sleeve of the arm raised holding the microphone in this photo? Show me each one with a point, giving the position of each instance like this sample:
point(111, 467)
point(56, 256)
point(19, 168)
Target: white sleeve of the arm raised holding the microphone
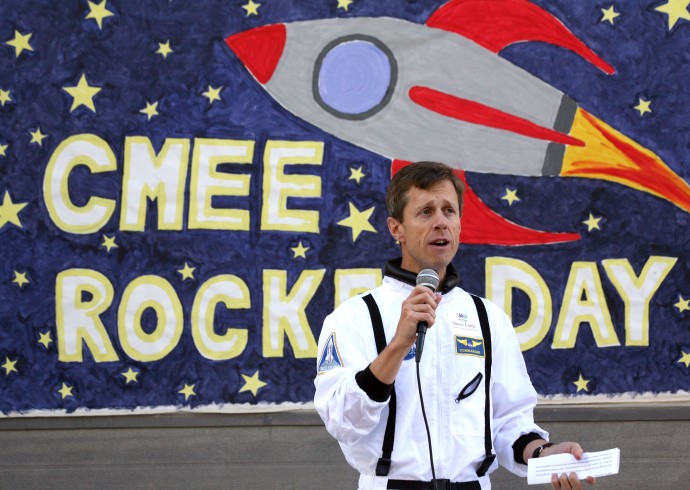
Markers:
point(346, 346)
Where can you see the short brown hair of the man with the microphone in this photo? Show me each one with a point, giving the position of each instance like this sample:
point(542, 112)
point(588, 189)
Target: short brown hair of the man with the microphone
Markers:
point(422, 175)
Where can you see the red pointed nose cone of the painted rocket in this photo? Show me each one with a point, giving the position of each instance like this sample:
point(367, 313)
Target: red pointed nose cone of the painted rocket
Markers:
point(259, 49)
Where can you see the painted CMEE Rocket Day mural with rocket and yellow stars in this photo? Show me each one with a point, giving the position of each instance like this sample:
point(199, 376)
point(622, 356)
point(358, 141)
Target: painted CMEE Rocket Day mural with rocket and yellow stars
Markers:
point(188, 188)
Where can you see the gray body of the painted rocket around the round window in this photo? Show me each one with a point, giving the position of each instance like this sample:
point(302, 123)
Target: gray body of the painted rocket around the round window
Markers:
point(422, 56)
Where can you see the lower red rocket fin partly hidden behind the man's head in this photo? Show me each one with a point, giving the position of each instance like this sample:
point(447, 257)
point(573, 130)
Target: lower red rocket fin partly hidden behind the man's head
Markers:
point(482, 226)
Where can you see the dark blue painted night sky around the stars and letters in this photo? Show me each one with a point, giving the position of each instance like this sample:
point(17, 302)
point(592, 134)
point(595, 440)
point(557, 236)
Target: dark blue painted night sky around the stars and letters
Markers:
point(651, 62)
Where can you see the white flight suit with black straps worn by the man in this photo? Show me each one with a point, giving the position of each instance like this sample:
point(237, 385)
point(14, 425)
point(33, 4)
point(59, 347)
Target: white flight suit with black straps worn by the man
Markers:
point(451, 359)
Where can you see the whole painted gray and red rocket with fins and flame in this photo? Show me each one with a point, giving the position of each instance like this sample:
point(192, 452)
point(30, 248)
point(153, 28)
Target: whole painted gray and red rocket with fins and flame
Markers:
point(439, 92)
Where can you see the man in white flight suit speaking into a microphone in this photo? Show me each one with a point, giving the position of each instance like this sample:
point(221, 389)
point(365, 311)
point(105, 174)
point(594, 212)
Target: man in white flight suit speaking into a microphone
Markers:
point(360, 386)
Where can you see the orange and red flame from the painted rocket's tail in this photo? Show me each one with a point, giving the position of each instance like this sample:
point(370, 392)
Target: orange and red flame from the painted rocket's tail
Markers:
point(610, 155)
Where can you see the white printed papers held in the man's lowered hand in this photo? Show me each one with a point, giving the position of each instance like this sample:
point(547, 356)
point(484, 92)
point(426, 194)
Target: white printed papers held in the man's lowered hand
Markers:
point(602, 463)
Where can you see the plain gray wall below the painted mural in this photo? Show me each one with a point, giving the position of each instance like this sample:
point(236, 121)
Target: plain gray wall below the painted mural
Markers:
point(292, 450)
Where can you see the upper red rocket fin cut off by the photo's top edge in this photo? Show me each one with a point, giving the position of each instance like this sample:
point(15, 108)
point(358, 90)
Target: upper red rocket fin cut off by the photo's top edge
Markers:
point(497, 24)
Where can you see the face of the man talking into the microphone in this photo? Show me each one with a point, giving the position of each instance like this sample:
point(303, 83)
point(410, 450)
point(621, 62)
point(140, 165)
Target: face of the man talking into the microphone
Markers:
point(429, 234)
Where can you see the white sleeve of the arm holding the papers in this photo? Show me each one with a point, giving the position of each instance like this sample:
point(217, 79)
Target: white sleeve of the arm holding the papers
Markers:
point(513, 396)
